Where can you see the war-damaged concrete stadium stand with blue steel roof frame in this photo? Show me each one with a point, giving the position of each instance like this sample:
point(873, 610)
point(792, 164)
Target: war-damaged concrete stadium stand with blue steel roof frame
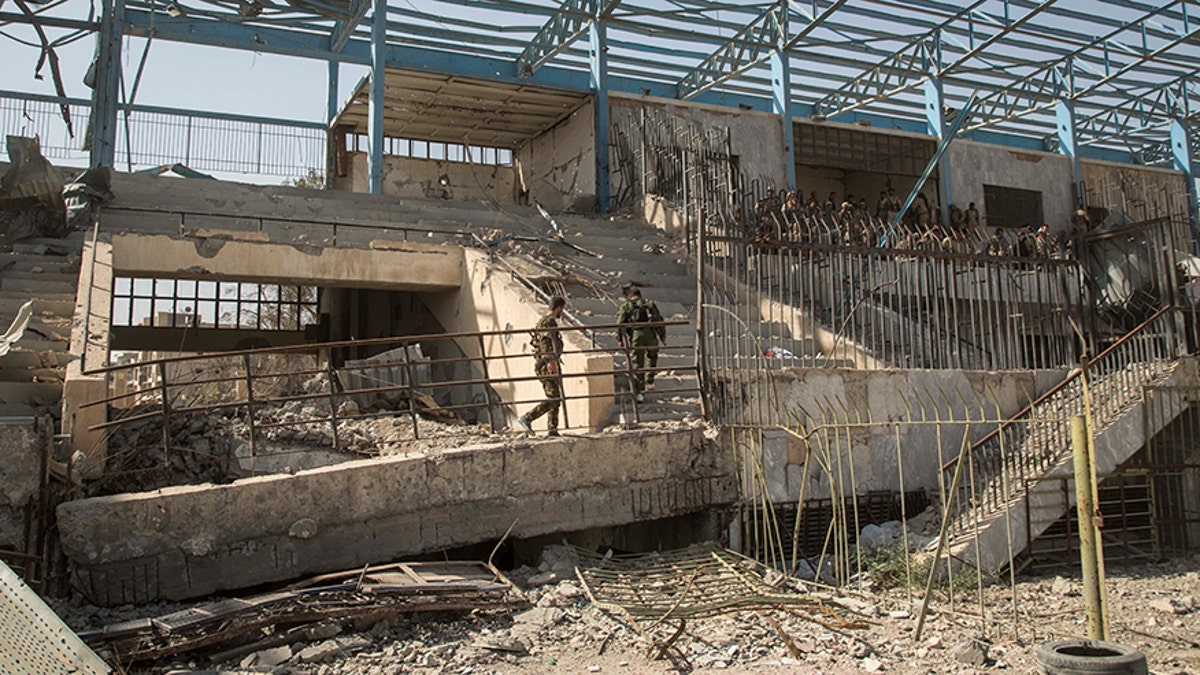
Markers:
point(896, 249)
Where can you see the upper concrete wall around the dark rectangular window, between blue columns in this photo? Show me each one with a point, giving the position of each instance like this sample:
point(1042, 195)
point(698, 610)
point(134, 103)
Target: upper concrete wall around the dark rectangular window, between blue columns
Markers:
point(975, 165)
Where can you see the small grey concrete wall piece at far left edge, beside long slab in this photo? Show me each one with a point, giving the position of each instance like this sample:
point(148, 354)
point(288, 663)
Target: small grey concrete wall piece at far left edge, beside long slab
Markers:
point(21, 477)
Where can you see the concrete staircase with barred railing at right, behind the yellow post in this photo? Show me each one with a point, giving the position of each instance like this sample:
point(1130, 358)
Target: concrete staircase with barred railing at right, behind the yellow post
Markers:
point(1001, 511)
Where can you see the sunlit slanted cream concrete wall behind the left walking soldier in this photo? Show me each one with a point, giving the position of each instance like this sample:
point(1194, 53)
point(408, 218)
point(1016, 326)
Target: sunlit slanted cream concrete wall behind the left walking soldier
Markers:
point(493, 301)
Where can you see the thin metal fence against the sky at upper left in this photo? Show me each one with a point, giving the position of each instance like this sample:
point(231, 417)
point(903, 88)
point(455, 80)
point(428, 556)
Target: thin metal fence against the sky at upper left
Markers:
point(152, 136)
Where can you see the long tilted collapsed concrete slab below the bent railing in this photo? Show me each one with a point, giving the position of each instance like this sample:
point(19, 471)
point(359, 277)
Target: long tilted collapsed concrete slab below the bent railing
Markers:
point(193, 541)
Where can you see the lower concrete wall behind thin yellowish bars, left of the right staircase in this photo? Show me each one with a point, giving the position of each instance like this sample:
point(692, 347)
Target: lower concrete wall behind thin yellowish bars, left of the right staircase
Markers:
point(890, 397)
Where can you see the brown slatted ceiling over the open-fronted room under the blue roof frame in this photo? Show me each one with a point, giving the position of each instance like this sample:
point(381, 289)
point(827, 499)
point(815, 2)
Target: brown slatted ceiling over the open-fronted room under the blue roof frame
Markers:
point(457, 110)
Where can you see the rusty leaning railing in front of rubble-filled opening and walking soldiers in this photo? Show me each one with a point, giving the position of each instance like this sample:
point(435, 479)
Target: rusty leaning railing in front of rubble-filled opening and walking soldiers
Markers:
point(301, 387)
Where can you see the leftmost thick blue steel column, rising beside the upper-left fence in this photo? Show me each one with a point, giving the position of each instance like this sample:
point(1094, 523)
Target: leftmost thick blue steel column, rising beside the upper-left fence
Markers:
point(107, 91)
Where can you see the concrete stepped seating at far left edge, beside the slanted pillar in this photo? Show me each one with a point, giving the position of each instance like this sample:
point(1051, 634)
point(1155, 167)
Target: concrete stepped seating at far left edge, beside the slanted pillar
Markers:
point(46, 271)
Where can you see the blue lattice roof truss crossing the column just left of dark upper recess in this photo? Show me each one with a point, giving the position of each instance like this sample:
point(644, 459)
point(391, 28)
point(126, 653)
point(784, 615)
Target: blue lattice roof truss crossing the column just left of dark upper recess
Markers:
point(753, 46)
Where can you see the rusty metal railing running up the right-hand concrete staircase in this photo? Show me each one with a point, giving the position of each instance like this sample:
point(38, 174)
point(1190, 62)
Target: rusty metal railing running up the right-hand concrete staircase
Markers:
point(1001, 464)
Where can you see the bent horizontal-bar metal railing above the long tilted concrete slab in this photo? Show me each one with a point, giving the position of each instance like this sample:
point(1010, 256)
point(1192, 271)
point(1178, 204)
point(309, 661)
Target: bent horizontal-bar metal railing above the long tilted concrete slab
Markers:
point(199, 416)
